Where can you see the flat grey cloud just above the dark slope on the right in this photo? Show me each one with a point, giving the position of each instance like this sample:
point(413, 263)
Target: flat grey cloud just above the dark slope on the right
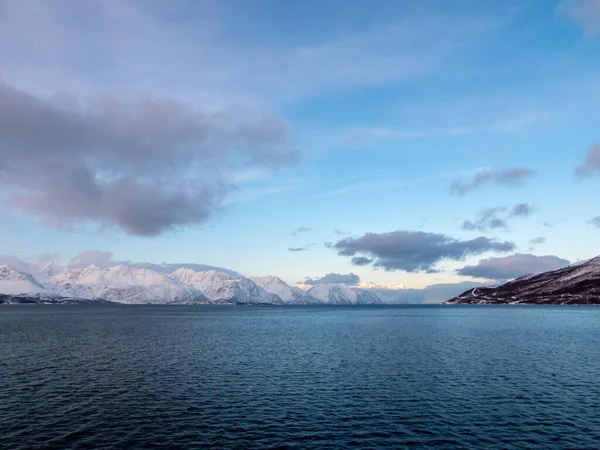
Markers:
point(513, 266)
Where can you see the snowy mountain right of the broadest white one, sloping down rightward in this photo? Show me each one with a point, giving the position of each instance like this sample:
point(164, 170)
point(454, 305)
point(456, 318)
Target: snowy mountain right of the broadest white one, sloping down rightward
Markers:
point(220, 287)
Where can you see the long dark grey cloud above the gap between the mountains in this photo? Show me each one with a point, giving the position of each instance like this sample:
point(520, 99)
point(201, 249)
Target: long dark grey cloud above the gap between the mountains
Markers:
point(414, 251)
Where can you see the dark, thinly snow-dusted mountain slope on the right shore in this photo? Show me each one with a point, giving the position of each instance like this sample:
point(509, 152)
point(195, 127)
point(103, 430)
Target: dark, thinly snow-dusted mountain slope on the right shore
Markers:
point(572, 285)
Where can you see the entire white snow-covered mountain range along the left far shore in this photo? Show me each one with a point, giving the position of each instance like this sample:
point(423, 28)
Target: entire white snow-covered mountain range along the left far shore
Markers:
point(134, 285)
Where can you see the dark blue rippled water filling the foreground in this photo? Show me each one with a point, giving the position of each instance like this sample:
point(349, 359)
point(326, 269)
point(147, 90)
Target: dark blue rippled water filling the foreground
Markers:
point(259, 377)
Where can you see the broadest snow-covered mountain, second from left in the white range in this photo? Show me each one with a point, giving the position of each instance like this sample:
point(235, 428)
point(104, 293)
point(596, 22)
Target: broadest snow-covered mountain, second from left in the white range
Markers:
point(124, 284)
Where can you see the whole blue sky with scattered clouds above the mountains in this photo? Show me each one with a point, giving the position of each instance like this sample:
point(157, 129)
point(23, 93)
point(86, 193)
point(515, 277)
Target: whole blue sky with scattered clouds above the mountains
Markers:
point(391, 143)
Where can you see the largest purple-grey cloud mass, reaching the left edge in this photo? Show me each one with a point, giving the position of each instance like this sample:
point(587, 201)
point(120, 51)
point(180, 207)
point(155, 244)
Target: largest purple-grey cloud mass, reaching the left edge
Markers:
point(143, 167)
